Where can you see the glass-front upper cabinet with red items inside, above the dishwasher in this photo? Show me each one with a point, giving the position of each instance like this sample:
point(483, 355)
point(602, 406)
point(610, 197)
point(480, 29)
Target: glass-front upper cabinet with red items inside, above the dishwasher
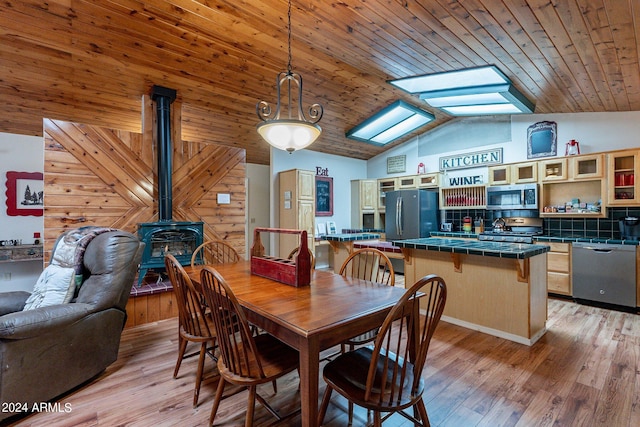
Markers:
point(621, 172)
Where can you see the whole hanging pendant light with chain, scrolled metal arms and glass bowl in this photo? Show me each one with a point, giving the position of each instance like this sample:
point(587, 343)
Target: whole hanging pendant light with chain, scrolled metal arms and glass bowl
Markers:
point(289, 130)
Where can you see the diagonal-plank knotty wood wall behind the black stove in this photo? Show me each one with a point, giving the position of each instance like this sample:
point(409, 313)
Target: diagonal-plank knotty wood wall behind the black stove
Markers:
point(99, 176)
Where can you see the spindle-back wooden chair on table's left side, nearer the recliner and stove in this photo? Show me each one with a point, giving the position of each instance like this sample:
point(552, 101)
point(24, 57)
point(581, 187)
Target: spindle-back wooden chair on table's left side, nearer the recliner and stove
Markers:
point(194, 325)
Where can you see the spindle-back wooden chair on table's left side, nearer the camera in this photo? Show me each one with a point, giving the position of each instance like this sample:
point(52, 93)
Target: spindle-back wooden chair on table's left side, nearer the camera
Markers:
point(245, 360)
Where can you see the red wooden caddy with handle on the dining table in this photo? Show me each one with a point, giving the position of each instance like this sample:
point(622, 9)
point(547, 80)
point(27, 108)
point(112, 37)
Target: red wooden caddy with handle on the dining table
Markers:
point(295, 272)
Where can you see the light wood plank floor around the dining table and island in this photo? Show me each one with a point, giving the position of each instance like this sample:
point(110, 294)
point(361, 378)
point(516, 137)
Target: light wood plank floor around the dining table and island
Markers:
point(585, 371)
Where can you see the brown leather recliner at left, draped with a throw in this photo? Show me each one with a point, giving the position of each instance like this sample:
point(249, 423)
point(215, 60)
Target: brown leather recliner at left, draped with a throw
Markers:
point(47, 351)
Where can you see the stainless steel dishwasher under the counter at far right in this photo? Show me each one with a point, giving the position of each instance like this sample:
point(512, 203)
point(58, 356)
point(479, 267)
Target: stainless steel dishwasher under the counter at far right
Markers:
point(604, 273)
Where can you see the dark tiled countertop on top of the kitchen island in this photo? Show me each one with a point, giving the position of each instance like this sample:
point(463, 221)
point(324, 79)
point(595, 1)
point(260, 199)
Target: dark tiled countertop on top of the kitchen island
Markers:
point(474, 247)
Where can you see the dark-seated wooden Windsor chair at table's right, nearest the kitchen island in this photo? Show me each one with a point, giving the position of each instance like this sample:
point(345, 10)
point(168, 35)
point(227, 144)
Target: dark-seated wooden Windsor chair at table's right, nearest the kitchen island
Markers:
point(387, 377)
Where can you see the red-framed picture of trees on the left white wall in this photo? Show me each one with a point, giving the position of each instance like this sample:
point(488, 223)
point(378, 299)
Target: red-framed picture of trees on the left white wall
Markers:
point(25, 193)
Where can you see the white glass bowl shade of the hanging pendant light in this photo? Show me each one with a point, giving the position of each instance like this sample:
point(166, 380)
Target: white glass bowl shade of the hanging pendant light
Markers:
point(289, 135)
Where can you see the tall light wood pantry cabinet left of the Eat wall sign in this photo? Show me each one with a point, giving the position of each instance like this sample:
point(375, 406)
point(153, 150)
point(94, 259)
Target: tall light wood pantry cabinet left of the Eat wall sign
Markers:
point(297, 208)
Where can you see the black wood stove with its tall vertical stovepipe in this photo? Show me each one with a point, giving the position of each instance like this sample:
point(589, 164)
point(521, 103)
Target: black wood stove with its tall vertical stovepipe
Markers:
point(179, 238)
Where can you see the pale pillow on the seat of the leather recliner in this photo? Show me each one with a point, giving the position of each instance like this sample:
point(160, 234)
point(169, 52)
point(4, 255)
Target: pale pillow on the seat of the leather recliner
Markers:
point(56, 285)
